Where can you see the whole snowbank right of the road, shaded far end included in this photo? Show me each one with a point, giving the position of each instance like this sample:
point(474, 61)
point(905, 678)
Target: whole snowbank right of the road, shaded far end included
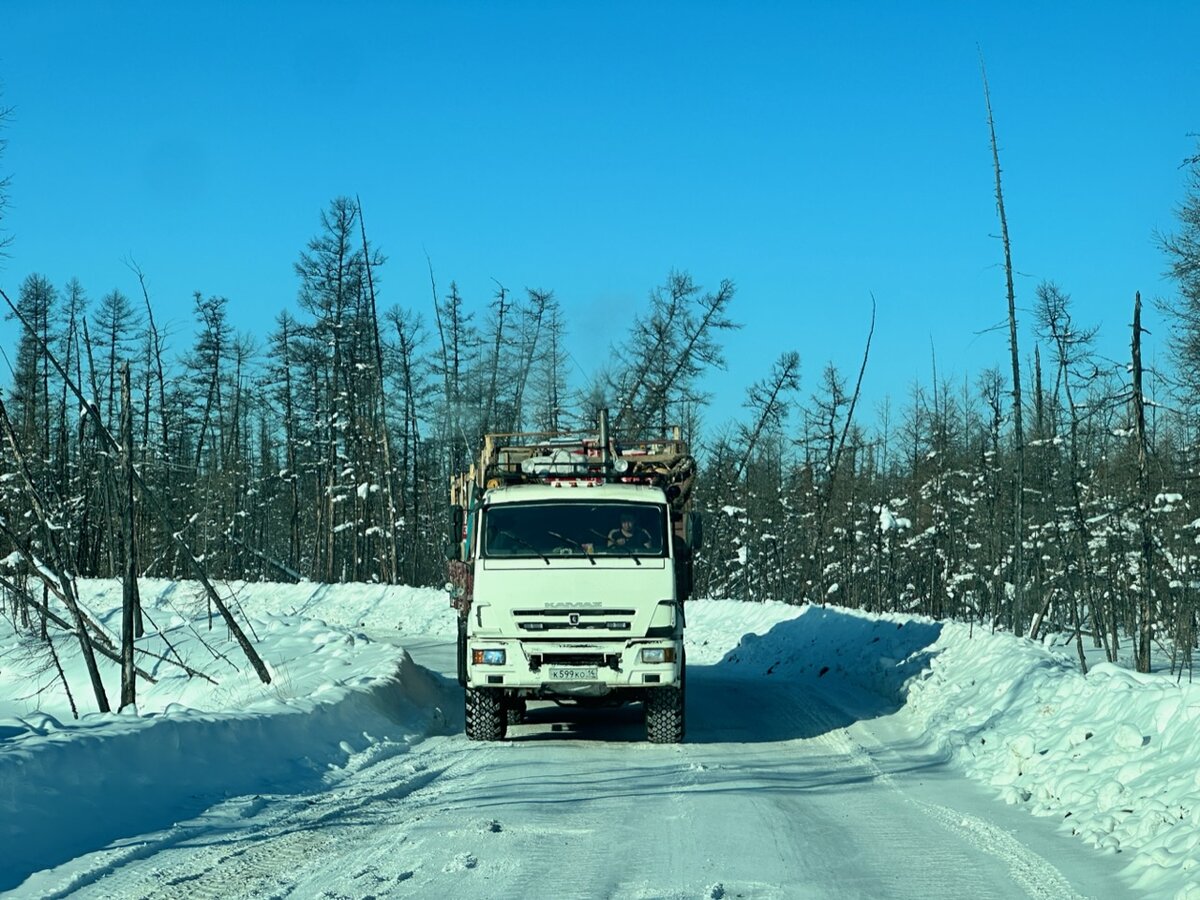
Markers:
point(1112, 754)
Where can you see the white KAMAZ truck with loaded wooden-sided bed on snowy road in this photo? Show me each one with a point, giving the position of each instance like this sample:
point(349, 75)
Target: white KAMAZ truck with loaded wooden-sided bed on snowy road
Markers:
point(571, 562)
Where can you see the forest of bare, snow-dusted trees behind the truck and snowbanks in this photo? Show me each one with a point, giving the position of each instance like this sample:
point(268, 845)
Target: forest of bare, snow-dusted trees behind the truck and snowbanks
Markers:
point(320, 452)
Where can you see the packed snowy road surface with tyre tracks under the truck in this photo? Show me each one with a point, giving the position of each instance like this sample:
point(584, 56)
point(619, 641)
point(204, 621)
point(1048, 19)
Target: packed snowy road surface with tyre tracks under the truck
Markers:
point(775, 795)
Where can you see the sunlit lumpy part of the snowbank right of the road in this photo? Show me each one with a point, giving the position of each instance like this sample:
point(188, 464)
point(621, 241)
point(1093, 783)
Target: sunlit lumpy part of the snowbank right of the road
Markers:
point(1113, 754)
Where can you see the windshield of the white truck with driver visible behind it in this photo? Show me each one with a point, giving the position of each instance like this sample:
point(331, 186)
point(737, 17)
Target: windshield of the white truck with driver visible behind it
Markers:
point(575, 530)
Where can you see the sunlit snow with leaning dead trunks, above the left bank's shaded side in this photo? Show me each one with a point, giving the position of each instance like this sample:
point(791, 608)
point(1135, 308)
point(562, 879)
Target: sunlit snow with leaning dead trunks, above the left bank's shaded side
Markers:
point(313, 639)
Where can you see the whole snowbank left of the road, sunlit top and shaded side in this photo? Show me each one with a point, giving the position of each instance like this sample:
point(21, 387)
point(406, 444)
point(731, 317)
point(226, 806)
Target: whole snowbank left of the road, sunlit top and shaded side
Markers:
point(68, 787)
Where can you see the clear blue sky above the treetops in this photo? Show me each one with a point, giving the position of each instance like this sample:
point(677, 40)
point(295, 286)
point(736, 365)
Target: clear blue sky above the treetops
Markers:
point(814, 153)
